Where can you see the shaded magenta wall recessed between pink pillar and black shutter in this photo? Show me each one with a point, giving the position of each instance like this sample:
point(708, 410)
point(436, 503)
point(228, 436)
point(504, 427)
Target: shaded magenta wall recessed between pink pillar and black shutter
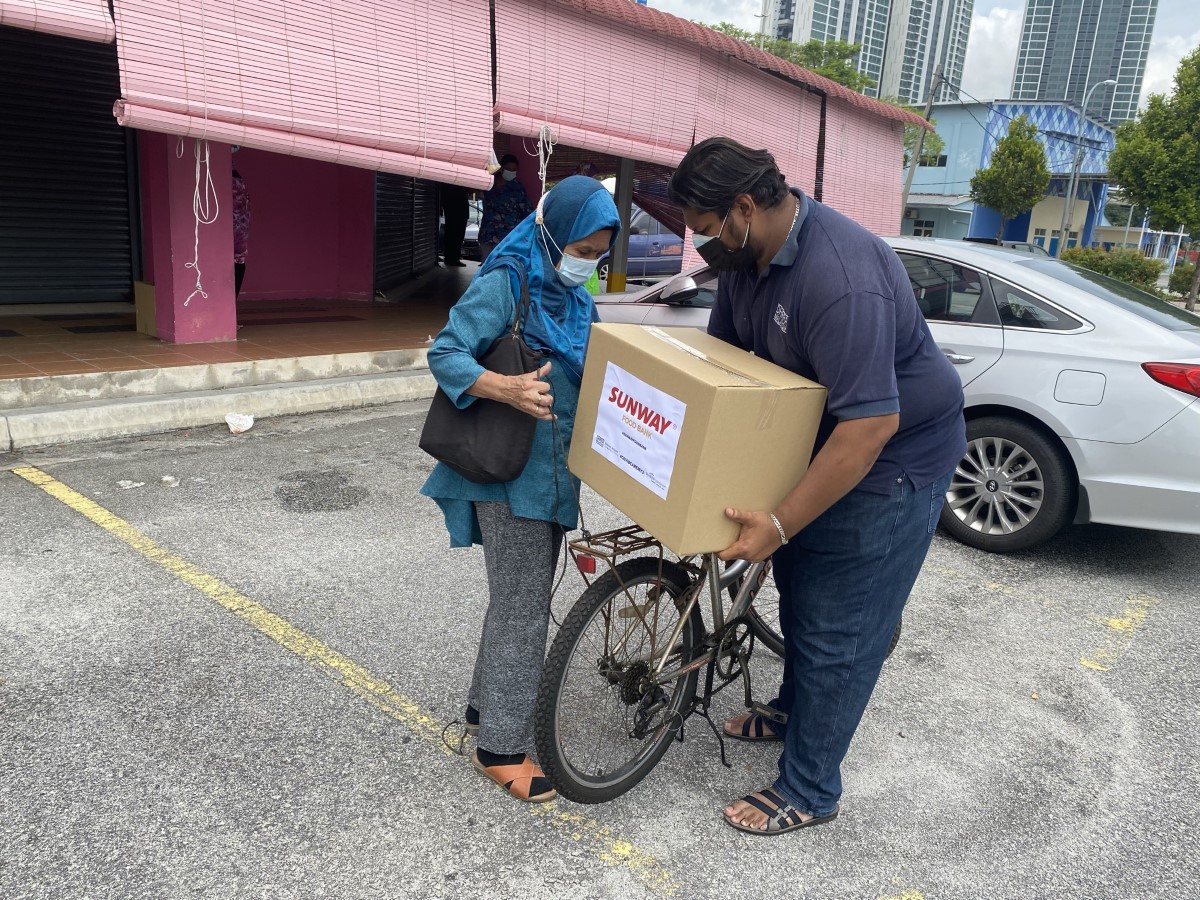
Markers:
point(311, 229)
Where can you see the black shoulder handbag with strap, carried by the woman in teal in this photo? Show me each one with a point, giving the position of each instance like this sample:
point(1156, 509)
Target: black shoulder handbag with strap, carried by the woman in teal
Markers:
point(489, 442)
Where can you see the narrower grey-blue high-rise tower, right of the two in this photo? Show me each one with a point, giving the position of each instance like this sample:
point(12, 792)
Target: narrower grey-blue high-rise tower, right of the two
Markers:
point(1069, 46)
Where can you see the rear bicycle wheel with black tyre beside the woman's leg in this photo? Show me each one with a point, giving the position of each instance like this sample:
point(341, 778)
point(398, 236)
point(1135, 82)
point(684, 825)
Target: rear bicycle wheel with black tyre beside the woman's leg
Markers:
point(573, 719)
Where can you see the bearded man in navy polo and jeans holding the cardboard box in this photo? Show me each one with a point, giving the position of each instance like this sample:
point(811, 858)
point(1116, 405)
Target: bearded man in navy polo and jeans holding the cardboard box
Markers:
point(817, 293)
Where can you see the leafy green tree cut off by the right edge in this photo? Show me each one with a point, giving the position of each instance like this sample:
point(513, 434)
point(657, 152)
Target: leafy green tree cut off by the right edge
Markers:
point(1157, 158)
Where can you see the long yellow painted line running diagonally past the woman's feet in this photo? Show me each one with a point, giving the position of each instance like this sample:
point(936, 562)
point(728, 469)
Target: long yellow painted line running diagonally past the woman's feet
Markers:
point(608, 847)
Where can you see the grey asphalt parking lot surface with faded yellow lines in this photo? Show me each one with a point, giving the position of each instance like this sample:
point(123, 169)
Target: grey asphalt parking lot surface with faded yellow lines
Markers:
point(226, 664)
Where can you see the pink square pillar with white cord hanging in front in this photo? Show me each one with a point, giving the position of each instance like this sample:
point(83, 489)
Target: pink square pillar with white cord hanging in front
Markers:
point(182, 314)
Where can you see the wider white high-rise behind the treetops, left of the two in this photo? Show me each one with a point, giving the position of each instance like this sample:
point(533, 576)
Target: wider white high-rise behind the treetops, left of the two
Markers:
point(904, 41)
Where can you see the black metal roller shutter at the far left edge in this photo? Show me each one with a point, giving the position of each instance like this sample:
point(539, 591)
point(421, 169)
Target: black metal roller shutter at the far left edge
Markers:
point(67, 233)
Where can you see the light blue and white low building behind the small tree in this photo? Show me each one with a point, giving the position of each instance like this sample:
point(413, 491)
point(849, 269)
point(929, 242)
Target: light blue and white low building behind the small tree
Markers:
point(940, 202)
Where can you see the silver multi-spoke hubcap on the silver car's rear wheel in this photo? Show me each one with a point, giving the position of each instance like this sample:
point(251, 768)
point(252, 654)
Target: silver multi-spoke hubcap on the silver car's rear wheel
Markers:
point(998, 488)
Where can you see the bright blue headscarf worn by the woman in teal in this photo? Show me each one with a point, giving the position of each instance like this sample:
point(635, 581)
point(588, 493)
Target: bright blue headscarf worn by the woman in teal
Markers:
point(561, 316)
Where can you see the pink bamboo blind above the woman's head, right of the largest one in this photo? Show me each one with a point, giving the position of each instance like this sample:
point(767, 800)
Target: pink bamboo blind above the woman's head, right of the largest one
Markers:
point(602, 87)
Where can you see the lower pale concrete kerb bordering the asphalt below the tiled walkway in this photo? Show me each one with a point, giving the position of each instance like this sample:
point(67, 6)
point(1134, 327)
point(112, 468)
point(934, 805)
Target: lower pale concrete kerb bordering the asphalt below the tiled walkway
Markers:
point(122, 417)
